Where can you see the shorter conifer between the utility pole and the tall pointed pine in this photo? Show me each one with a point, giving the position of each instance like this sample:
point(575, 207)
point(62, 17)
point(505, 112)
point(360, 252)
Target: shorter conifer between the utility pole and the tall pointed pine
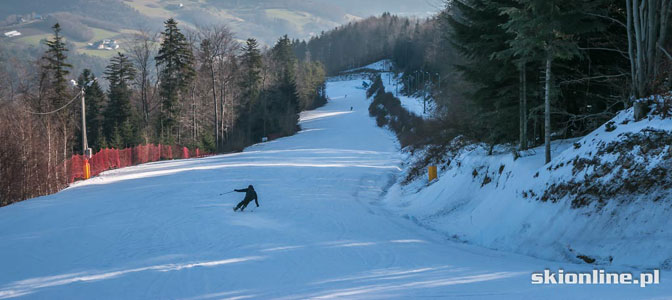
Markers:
point(120, 73)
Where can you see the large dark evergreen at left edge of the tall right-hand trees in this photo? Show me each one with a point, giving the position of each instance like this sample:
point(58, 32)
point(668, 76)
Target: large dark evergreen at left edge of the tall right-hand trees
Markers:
point(475, 31)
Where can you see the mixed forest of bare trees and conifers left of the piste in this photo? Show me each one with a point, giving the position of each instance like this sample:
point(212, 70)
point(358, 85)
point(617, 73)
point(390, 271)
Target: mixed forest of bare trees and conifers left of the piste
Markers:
point(199, 89)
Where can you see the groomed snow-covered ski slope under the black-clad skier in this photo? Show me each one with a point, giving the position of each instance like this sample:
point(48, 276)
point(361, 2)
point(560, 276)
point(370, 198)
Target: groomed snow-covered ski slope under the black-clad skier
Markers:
point(161, 230)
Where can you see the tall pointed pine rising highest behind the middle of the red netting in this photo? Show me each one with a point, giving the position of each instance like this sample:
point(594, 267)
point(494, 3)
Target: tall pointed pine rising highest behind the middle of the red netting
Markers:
point(176, 60)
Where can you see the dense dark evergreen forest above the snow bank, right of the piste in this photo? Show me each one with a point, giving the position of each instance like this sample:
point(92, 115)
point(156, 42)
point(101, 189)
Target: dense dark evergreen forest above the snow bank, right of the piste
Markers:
point(518, 72)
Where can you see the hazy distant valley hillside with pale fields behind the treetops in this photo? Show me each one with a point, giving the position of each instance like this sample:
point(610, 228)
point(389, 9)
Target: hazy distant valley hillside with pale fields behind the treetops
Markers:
point(265, 20)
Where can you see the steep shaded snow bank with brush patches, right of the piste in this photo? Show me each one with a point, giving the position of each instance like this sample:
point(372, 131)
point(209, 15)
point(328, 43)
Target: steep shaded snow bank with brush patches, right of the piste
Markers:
point(582, 207)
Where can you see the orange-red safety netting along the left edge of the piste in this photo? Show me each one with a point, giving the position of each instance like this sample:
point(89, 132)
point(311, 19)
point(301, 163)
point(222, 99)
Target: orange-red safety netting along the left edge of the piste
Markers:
point(107, 159)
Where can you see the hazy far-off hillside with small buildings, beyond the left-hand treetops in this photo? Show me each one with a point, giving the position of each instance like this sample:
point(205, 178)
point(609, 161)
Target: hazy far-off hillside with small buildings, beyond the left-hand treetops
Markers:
point(89, 21)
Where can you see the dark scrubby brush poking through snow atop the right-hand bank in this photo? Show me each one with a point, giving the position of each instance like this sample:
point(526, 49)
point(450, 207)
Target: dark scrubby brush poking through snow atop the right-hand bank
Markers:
point(635, 164)
